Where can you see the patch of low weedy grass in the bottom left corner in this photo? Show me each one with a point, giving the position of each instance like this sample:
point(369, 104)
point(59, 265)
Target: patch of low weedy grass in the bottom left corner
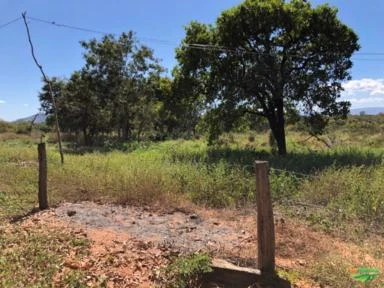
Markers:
point(32, 257)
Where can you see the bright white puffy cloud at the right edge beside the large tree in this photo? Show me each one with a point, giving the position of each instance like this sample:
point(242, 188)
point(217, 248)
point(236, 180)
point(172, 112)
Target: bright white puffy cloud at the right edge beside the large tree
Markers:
point(368, 86)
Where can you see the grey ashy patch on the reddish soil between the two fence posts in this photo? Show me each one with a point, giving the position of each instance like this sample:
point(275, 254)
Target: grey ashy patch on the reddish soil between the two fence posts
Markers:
point(188, 232)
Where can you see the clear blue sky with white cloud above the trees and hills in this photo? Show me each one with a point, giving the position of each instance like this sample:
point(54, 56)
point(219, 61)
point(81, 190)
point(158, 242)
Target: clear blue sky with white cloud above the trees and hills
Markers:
point(59, 51)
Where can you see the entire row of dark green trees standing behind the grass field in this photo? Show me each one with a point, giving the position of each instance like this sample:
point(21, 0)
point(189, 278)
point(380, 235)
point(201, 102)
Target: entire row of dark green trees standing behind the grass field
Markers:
point(290, 59)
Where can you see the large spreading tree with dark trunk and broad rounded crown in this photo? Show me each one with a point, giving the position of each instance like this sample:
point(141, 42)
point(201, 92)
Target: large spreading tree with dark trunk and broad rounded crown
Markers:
point(267, 57)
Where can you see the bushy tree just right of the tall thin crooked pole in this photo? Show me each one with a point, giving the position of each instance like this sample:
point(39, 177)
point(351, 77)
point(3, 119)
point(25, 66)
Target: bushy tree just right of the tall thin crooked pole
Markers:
point(113, 93)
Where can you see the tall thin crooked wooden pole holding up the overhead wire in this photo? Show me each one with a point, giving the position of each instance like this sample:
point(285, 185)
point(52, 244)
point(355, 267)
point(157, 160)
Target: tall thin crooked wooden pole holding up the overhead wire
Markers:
point(46, 80)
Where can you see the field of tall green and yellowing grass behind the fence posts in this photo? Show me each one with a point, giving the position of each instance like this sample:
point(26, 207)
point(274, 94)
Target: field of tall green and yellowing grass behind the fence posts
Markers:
point(337, 190)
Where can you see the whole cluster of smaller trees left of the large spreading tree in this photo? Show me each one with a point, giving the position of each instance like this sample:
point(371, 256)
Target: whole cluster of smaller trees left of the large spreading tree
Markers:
point(120, 92)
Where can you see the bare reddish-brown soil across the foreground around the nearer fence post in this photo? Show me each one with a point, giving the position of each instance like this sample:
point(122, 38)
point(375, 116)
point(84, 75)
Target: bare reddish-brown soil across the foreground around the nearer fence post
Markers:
point(130, 245)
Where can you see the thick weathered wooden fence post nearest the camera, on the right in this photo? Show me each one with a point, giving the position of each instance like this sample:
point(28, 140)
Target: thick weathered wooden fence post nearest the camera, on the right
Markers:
point(265, 222)
